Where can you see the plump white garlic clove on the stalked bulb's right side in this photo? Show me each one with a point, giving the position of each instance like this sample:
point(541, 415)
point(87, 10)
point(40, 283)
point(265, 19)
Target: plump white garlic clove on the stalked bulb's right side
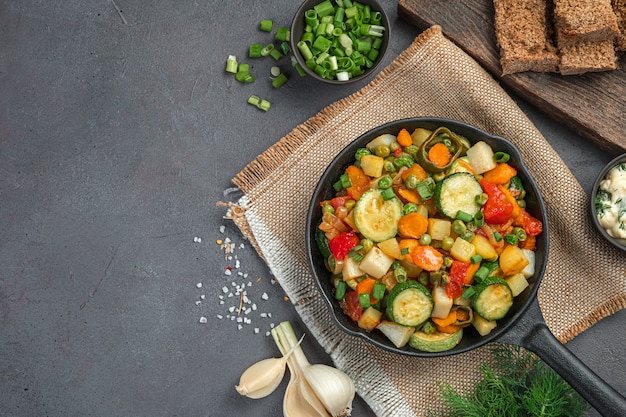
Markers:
point(333, 387)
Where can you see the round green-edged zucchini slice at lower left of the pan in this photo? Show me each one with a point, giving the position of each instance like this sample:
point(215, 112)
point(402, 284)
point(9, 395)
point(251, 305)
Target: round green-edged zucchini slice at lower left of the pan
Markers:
point(409, 303)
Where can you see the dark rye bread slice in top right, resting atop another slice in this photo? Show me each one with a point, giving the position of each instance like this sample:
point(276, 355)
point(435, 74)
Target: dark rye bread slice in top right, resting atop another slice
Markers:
point(589, 20)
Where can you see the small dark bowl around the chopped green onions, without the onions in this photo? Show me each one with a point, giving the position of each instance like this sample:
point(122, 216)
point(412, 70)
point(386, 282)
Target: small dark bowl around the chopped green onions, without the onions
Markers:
point(298, 26)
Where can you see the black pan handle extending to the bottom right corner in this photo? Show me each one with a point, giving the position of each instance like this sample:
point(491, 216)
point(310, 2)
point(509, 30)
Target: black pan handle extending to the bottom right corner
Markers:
point(532, 333)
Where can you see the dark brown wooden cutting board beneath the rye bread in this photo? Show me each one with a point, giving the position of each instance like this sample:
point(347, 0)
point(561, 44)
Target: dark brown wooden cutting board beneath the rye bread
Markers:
point(593, 104)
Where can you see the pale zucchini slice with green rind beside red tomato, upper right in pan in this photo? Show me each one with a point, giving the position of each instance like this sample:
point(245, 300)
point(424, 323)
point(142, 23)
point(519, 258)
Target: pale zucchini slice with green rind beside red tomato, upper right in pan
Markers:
point(458, 192)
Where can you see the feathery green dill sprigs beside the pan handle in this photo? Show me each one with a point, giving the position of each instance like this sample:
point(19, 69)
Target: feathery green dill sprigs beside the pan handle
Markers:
point(517, 384)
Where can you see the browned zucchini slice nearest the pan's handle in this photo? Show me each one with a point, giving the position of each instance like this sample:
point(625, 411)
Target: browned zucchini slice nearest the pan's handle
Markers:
point(493, 298)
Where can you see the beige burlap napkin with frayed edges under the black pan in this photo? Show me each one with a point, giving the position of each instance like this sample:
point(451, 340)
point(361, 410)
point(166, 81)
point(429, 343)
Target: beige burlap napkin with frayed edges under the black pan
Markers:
point(585, 278)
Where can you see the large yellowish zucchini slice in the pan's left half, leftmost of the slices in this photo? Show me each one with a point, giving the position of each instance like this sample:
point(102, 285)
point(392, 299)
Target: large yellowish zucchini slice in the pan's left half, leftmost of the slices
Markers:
point(376, 218)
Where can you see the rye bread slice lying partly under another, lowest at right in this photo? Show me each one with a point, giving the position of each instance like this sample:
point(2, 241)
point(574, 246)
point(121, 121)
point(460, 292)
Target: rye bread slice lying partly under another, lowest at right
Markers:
point(588, 56)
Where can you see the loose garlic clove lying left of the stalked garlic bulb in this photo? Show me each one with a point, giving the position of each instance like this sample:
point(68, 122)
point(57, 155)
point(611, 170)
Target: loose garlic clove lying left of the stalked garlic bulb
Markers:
point(262, 378)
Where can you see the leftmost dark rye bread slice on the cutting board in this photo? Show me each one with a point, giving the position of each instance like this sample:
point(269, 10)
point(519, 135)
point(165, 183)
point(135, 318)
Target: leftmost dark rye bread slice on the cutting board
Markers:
point(523, 36)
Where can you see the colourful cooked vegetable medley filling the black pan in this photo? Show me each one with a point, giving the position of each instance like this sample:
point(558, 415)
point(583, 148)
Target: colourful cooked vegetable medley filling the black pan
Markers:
point(428, 234)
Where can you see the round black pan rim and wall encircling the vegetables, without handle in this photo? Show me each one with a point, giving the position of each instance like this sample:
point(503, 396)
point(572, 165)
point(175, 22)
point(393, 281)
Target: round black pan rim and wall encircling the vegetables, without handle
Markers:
point(324, 191)
